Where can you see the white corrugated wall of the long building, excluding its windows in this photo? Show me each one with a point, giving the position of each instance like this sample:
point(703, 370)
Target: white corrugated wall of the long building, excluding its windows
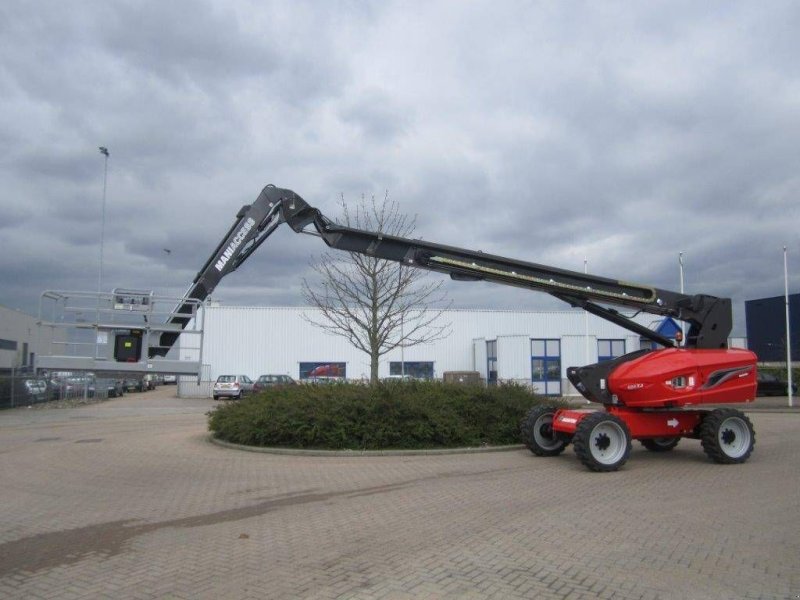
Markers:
point(259, 340)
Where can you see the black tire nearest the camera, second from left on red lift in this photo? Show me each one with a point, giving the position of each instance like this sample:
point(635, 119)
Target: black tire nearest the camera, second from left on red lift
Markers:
point(602, 442)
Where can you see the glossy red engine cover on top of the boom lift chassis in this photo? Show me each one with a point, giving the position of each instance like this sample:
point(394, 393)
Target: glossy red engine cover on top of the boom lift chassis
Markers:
point(680, 377)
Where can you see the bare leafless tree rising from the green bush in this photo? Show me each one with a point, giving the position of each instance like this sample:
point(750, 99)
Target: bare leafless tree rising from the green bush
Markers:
point(378, 305)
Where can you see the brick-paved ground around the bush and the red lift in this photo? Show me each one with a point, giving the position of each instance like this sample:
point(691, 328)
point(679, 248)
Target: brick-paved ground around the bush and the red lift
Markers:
point(128, 499)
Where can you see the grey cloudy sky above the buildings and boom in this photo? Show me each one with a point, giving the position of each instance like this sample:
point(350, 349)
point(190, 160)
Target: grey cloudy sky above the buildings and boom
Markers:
point(619, 132)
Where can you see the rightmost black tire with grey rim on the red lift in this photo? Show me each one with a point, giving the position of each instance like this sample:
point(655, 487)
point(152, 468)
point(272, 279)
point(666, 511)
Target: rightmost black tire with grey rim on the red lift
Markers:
point(727, 436)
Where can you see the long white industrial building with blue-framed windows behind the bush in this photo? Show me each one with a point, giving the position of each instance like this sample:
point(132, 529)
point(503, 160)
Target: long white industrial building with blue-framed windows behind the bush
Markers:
point(528, 347)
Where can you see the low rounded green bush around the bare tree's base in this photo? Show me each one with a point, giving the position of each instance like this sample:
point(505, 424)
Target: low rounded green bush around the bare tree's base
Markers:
point(394, 415)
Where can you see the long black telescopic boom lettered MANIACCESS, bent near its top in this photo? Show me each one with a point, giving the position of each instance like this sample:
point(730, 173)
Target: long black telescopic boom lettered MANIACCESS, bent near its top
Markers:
point(710, 318)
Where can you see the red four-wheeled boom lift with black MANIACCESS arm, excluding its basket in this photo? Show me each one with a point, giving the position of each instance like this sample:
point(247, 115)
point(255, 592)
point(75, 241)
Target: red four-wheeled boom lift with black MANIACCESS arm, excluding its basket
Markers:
point(649, 395)
